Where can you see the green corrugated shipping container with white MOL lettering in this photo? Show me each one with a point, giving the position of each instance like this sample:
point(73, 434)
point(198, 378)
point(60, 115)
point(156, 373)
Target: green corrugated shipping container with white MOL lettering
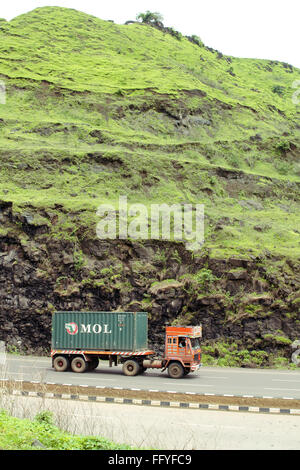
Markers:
point(111, 331)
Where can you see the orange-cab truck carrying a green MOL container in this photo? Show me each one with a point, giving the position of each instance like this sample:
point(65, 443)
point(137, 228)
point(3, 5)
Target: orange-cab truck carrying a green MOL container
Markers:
point(81, 339)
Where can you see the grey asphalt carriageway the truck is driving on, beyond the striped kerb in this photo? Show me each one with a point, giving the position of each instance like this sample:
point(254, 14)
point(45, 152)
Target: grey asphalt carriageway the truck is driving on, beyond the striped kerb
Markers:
point(208, 380)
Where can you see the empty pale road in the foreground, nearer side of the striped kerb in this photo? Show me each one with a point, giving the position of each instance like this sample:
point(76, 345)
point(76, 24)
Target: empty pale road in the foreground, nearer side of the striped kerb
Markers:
point(165, 428)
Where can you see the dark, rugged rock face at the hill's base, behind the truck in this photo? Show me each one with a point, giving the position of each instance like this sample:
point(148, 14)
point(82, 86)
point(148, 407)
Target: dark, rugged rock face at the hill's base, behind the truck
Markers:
point(235, 299)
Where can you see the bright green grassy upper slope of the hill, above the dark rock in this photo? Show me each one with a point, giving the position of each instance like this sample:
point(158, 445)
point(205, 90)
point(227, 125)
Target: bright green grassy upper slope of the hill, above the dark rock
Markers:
point(95, 110)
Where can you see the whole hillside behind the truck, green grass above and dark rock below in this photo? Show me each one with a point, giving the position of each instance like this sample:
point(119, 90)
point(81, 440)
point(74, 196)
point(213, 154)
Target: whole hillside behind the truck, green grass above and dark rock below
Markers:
point(95, 111)
